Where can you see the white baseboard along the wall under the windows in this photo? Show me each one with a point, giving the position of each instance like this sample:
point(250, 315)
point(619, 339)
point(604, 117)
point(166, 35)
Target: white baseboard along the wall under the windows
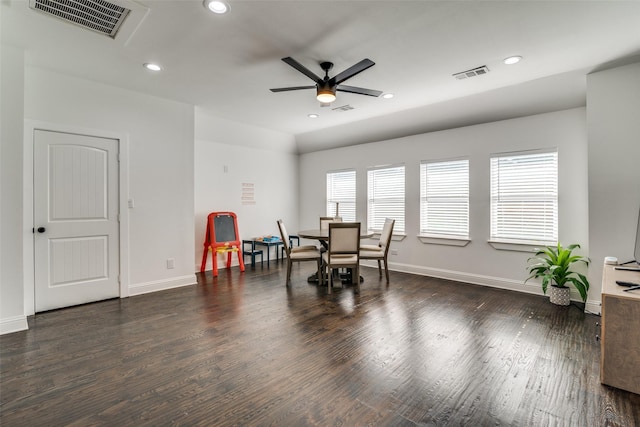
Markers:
point(592, 306)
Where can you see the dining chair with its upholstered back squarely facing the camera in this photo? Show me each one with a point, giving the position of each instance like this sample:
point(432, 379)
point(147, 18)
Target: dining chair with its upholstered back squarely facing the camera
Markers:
point(343, 251)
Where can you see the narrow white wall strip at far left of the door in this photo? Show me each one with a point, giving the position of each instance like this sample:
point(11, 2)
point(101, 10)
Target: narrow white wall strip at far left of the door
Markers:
point(12, 316)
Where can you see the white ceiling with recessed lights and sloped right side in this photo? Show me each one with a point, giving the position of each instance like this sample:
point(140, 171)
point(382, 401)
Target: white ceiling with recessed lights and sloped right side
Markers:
point(225, 64)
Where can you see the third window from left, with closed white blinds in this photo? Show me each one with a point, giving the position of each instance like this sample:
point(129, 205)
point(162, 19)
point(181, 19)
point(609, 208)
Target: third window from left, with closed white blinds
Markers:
point(444, 198)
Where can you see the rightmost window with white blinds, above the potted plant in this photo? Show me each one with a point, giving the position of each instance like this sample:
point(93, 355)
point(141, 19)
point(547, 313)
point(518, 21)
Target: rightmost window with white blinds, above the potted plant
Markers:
point(524, 197)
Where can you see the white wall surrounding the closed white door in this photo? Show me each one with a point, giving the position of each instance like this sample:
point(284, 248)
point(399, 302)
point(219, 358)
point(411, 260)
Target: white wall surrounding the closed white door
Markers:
point(160, 159)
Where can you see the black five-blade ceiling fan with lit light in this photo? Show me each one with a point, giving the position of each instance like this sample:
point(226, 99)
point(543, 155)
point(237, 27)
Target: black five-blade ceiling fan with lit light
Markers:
point(326, 87)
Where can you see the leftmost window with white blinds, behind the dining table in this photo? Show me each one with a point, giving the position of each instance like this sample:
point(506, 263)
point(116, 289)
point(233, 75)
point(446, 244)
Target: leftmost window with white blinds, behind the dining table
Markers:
point(341, 194)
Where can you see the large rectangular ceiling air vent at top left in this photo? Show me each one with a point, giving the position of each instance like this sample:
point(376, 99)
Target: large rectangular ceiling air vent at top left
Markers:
point(95, 15)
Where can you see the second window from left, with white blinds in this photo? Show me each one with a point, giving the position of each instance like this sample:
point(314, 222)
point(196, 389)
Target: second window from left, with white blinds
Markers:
point(386, 197)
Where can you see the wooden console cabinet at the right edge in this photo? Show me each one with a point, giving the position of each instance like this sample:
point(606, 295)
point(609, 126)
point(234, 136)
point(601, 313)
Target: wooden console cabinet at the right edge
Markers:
point(620, 341)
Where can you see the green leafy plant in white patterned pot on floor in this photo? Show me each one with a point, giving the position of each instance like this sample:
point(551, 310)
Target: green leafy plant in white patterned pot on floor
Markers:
point(553, 265)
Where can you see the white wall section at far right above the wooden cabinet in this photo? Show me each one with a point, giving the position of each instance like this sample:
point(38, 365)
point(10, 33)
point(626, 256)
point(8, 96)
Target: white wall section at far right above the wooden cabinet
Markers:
point(613, 113)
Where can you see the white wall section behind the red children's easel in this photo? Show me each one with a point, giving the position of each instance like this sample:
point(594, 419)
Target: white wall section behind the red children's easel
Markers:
point(228, 154)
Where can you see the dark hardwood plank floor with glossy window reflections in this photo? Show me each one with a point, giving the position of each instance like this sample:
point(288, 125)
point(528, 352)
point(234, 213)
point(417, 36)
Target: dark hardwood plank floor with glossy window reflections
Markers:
point(245, 350)
